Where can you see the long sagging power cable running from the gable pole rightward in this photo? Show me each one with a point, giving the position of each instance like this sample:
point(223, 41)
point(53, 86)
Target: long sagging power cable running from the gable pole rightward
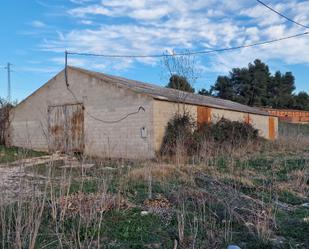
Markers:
point(193, 52)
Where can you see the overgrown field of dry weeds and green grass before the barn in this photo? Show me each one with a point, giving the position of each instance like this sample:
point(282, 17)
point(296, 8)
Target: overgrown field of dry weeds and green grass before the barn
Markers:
point(254, 196)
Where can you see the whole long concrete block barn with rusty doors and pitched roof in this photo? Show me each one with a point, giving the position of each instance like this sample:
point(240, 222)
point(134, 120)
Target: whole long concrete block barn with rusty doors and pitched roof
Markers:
point(108, 116)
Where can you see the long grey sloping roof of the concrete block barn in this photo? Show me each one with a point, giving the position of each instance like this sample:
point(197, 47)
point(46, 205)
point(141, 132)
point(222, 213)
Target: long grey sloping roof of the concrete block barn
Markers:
point(173, 95)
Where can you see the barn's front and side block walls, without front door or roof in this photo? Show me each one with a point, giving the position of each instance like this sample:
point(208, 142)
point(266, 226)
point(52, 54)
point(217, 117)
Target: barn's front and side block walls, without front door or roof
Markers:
point(118, 122)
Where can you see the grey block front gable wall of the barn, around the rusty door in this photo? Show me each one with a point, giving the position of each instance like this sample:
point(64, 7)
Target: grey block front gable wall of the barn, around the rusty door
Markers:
point(101, 100)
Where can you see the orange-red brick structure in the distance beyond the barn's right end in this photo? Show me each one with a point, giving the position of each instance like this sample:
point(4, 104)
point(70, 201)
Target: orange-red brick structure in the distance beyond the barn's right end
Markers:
point(290, 116)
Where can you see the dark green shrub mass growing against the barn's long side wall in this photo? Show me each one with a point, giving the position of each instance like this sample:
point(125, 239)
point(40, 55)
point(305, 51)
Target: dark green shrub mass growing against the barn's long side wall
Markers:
point(181, 129)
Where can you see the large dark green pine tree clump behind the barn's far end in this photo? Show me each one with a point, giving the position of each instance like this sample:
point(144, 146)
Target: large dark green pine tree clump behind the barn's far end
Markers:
point(255, 86)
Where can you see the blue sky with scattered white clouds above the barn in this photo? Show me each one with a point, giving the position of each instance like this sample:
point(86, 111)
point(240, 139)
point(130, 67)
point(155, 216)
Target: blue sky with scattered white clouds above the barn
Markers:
point(34, 35)
